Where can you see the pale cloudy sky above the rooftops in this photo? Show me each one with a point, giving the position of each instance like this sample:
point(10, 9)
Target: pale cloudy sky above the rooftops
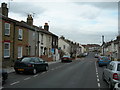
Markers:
point(81, 21)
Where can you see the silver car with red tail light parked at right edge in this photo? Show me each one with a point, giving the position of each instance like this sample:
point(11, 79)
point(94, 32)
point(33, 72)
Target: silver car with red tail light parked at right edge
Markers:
point(111, 73)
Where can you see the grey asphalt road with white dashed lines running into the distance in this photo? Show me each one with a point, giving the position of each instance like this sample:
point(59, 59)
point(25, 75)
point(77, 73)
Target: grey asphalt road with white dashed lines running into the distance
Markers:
point(81, 73)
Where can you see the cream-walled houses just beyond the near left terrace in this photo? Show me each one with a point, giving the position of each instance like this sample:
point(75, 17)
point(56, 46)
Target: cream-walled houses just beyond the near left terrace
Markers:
point(69, 48)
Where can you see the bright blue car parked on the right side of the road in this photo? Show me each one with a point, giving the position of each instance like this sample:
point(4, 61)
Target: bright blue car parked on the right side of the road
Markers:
point(103, 61)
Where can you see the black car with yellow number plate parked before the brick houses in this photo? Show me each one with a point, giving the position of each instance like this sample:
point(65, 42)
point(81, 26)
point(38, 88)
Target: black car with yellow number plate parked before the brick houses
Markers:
point(30, 64)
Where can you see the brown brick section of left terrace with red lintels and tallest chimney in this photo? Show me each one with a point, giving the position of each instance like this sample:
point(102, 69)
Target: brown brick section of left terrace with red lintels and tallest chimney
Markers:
point(14, 38)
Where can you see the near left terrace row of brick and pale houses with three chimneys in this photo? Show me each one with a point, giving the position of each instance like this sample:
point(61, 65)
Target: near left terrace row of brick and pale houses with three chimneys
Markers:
point(20, 38)
